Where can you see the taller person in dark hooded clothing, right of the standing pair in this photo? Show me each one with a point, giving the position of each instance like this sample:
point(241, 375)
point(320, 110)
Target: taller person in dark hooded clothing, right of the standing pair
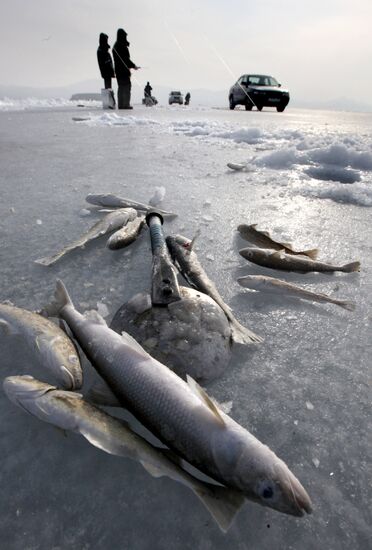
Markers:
point(123, 65)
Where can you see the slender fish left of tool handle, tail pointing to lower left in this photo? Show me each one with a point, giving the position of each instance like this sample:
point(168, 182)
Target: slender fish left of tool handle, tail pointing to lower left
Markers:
point(109, 223)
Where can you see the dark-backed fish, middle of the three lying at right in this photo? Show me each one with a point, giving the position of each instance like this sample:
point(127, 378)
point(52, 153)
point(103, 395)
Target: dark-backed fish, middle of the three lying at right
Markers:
point(289, 262)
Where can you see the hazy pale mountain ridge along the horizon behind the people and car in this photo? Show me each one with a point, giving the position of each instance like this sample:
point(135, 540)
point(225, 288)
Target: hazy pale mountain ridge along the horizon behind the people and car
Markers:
point(210, 98)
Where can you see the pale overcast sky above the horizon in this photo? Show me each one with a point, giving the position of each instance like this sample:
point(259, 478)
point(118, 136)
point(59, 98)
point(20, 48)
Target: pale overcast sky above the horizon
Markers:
point(317, 48)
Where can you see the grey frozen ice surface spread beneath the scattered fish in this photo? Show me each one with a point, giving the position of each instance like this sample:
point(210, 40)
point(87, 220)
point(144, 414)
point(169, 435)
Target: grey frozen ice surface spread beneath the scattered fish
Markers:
point(60, 492)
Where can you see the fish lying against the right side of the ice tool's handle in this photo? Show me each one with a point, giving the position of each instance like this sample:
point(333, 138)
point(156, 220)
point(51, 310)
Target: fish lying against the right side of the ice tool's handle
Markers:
point(180, 249)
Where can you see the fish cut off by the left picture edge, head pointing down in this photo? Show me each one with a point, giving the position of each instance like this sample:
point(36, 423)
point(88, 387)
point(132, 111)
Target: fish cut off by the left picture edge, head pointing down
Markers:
point(51, 346)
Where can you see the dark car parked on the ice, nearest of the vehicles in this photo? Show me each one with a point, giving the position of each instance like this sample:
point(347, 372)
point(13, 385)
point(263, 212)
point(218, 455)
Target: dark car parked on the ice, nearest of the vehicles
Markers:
point(258, 90)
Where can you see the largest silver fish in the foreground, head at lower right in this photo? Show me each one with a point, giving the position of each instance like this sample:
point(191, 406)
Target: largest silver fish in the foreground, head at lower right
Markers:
point(182, 415)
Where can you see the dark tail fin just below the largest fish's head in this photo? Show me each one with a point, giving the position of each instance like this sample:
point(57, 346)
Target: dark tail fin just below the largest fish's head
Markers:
point(222, 503)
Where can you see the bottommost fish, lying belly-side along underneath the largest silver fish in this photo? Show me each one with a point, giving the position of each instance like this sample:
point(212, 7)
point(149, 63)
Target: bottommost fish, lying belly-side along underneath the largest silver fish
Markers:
point(69, 411)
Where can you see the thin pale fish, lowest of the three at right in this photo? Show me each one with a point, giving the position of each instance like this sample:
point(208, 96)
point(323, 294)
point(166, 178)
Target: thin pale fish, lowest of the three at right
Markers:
point(277, 286)
